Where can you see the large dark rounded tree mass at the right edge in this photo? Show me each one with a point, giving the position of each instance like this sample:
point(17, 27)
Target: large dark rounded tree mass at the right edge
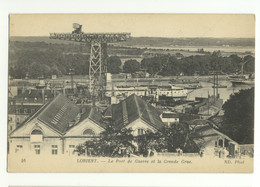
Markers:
point(238, 122)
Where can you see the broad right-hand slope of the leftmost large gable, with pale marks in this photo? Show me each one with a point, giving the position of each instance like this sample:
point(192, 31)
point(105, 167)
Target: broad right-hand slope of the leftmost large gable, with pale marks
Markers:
point(59, 113)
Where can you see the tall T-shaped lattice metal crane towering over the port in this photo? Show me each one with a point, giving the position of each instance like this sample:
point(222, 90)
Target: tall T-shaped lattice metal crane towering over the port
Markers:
point(98, 52)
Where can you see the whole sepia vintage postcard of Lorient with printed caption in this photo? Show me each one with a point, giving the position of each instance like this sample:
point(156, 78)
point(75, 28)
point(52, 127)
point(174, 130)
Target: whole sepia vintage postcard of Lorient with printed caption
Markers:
point(131, 93)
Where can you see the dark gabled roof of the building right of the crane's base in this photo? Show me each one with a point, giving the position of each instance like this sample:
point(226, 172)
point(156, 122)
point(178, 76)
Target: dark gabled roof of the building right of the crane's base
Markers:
point(132, 108)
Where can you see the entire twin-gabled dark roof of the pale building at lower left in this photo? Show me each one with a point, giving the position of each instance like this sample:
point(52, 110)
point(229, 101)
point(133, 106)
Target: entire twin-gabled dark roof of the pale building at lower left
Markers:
point(61, 114)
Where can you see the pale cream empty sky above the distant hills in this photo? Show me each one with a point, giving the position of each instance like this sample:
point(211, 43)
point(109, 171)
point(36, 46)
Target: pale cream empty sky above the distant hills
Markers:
point(151, 25)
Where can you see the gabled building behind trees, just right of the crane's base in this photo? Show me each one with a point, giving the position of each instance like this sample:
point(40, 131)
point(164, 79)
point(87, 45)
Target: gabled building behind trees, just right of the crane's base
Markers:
point(135, 113)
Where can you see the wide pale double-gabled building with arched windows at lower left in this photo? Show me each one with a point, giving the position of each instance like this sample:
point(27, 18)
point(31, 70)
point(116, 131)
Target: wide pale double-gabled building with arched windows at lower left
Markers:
point(56, 128)
